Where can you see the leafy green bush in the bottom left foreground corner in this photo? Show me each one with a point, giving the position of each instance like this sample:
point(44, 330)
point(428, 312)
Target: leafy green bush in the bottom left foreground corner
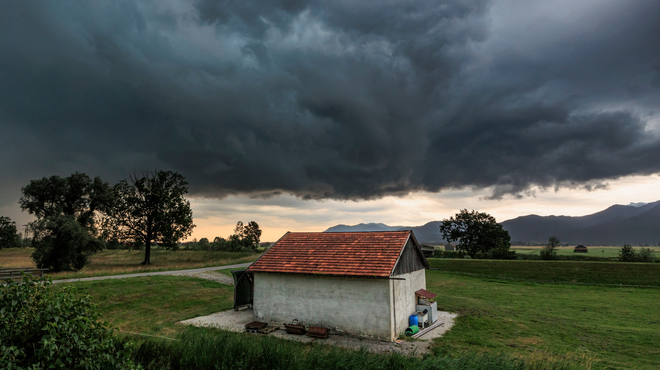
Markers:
point(46, 328)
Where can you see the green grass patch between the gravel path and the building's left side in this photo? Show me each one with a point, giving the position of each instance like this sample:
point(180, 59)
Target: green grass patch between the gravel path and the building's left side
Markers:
point(152, 305)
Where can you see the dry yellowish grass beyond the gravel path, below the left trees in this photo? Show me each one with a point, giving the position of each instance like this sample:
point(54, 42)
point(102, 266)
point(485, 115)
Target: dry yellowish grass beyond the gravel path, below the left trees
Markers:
point(116, 262)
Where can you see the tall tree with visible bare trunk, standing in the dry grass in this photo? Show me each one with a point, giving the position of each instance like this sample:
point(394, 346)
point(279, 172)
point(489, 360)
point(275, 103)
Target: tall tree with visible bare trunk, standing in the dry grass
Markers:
point(151, 209)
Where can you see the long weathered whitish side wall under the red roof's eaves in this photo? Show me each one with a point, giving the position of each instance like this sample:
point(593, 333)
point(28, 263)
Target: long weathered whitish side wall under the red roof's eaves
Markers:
point(355, 305)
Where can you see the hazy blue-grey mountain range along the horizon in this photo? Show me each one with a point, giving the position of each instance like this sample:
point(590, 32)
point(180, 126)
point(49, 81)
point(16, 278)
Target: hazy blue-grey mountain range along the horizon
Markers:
point(637, 224)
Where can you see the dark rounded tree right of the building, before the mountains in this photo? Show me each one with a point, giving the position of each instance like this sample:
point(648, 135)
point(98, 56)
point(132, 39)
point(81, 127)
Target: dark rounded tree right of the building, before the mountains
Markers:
point(477, 233)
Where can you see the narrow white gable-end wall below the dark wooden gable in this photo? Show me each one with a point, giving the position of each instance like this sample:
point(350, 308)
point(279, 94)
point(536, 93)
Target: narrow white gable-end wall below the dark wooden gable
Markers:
point(403, 292)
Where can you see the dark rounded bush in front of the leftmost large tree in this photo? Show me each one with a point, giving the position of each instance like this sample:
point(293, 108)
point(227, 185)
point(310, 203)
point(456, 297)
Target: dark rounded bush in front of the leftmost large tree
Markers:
point(61, 244)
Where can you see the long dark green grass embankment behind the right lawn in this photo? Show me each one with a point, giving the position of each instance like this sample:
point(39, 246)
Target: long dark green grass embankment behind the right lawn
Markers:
point(557, 271)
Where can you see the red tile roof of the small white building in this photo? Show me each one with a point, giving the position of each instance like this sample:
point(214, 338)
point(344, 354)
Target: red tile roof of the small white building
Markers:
point(372, 254)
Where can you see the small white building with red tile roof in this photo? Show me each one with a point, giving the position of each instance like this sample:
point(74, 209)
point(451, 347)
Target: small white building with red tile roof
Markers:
point(362, 283)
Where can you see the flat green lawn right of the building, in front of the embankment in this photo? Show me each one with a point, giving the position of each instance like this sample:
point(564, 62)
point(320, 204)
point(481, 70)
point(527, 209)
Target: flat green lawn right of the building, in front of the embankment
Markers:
point(618, 327)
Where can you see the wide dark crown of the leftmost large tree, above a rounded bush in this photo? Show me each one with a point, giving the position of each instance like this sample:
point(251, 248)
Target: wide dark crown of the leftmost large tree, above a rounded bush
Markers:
point(76, 196)
